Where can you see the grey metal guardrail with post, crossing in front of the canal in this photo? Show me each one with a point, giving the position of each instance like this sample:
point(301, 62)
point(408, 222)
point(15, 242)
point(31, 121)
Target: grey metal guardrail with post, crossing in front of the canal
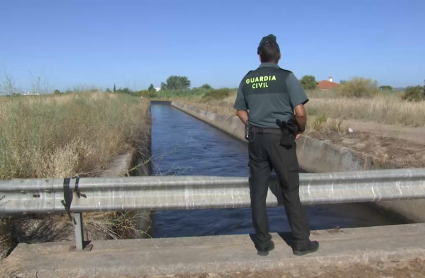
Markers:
point(197, 192)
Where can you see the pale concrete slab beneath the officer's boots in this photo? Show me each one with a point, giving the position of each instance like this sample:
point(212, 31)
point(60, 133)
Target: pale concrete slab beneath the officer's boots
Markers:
point(218, 254)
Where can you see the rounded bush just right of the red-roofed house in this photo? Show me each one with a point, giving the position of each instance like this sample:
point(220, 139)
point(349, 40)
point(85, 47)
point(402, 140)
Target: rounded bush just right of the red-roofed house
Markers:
point(359, 87)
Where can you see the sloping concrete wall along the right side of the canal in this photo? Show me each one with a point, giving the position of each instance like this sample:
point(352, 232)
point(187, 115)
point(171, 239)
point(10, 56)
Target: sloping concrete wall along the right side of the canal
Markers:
point(318, 157)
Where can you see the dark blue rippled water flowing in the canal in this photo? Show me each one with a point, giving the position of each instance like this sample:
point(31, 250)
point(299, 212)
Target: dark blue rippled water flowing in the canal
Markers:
point(183, 145)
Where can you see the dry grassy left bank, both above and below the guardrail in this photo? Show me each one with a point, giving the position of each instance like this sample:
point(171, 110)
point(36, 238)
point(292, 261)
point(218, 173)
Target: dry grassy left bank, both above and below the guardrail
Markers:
point(61, 136)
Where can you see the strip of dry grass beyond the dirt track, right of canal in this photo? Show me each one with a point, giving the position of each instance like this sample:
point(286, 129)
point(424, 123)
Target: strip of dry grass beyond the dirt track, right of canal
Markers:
point(384, 108)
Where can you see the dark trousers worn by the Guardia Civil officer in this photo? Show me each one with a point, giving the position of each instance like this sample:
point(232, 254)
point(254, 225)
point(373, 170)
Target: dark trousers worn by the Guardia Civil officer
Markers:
point(265, 155)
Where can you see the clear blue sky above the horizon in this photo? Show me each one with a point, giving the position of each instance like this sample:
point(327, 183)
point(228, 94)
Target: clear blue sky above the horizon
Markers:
point(135, 43)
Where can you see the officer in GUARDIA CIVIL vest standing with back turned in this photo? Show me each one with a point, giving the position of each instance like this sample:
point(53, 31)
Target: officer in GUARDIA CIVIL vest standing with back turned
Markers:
point(271, 95)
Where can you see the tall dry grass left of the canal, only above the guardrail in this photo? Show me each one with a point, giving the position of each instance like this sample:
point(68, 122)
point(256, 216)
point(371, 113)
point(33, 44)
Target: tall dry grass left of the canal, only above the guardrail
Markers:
point(61, 136)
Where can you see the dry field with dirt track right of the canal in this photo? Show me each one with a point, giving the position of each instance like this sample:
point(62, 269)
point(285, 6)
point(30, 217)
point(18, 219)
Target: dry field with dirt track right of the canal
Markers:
point(385, 126)
